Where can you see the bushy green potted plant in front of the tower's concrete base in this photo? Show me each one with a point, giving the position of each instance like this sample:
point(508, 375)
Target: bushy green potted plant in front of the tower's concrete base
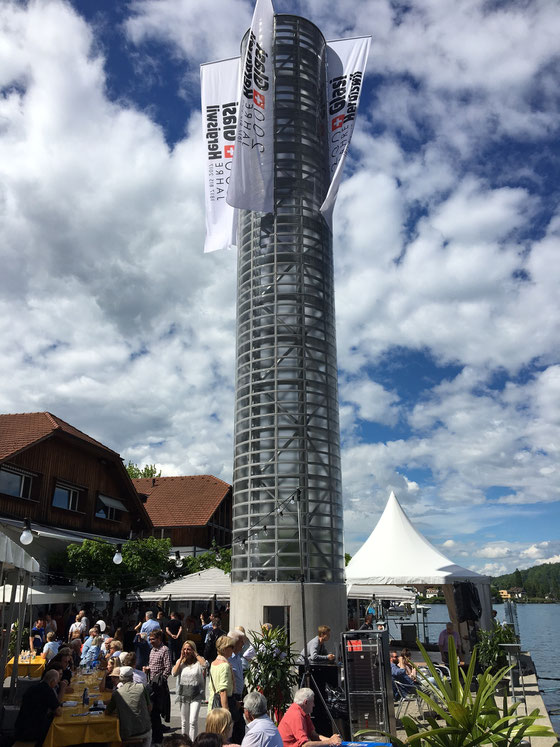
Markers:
point(272, 671)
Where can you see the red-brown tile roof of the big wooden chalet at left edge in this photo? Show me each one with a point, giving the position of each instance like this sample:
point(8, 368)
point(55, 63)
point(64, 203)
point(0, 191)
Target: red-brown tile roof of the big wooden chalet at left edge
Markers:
point(21, 430)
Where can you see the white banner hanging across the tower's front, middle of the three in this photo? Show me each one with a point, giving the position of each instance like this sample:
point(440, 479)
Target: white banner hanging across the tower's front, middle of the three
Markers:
point(252, 180)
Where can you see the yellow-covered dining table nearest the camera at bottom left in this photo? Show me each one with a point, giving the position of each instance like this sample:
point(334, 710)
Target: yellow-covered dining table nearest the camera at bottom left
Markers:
point(78, 724)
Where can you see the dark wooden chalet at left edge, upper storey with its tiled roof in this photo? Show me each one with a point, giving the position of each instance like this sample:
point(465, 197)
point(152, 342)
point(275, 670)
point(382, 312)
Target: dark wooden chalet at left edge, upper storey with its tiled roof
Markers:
point(59, 477)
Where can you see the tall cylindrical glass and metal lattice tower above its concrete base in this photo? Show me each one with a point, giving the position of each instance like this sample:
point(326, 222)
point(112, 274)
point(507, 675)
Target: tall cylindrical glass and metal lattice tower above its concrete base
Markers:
point(286, 418)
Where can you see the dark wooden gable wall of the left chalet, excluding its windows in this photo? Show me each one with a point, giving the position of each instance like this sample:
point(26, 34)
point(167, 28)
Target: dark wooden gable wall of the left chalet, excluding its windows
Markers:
point(61, 458)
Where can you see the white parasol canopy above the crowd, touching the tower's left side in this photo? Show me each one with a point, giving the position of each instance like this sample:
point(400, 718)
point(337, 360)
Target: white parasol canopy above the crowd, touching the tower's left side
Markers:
point(200, 586)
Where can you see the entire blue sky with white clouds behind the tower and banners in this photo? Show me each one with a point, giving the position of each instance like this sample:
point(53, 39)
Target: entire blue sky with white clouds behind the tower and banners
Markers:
point(446, 243)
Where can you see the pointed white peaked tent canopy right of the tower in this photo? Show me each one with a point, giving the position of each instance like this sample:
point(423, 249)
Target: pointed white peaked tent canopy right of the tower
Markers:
point(396, 553)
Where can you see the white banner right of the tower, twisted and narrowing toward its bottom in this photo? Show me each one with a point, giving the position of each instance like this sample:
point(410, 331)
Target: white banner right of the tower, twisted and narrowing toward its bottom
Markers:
point(346, 64)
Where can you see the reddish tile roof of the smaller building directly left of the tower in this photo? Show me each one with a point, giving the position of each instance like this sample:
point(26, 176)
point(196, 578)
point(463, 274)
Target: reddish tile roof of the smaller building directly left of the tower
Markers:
point(182, 501)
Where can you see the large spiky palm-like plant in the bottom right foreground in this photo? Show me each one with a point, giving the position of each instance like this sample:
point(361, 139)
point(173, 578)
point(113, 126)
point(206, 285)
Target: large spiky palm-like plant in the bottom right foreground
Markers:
point(469, 718)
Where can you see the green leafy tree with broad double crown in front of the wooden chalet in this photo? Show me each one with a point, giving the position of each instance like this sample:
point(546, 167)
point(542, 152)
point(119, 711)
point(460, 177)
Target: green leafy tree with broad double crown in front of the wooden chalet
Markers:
point(144, 561)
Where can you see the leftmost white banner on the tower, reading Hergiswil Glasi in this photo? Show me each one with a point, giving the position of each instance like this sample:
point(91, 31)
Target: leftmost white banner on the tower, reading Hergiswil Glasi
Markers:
point(220, 94)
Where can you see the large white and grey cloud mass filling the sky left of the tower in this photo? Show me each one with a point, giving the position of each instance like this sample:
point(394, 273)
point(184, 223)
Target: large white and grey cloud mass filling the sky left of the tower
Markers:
point(122, 327)
